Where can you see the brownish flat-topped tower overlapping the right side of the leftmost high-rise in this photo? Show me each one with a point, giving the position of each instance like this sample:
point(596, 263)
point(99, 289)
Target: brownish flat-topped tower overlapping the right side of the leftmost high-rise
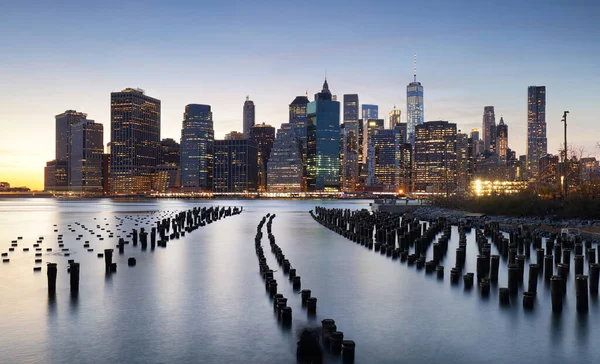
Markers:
point(87, 147)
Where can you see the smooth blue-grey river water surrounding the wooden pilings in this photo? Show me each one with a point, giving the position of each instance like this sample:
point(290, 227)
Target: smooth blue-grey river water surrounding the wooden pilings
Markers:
point(202, 298)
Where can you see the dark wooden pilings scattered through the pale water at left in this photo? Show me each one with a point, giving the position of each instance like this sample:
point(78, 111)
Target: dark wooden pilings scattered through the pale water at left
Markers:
point(182, 223)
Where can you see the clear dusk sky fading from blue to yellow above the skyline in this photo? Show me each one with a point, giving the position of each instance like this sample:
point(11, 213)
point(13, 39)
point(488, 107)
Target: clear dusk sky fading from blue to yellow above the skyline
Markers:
point(72, 54)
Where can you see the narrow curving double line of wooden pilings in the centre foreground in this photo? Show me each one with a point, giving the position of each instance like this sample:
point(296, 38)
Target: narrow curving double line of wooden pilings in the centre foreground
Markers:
point(308, 347)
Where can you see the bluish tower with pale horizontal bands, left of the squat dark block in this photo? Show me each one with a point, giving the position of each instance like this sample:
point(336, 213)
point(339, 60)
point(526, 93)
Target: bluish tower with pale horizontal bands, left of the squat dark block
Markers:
point(197, 144)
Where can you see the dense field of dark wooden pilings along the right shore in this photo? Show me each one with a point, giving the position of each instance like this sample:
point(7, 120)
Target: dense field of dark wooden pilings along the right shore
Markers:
point(385, 228)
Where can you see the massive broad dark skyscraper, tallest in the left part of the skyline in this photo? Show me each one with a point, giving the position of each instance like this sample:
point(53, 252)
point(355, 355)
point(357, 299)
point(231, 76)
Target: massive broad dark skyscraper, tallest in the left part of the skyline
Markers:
point(135, 140)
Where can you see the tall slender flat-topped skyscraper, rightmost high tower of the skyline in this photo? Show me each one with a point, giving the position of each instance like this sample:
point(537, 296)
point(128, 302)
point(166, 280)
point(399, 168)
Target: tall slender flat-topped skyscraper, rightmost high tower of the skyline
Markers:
point(536, 128)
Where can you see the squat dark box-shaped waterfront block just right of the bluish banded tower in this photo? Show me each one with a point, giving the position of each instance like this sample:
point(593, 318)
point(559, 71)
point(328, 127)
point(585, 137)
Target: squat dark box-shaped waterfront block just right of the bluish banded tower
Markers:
point(235, 166)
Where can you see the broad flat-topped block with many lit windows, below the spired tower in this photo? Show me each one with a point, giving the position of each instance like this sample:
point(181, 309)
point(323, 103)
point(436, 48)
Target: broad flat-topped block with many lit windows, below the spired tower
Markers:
point(435, 163)
